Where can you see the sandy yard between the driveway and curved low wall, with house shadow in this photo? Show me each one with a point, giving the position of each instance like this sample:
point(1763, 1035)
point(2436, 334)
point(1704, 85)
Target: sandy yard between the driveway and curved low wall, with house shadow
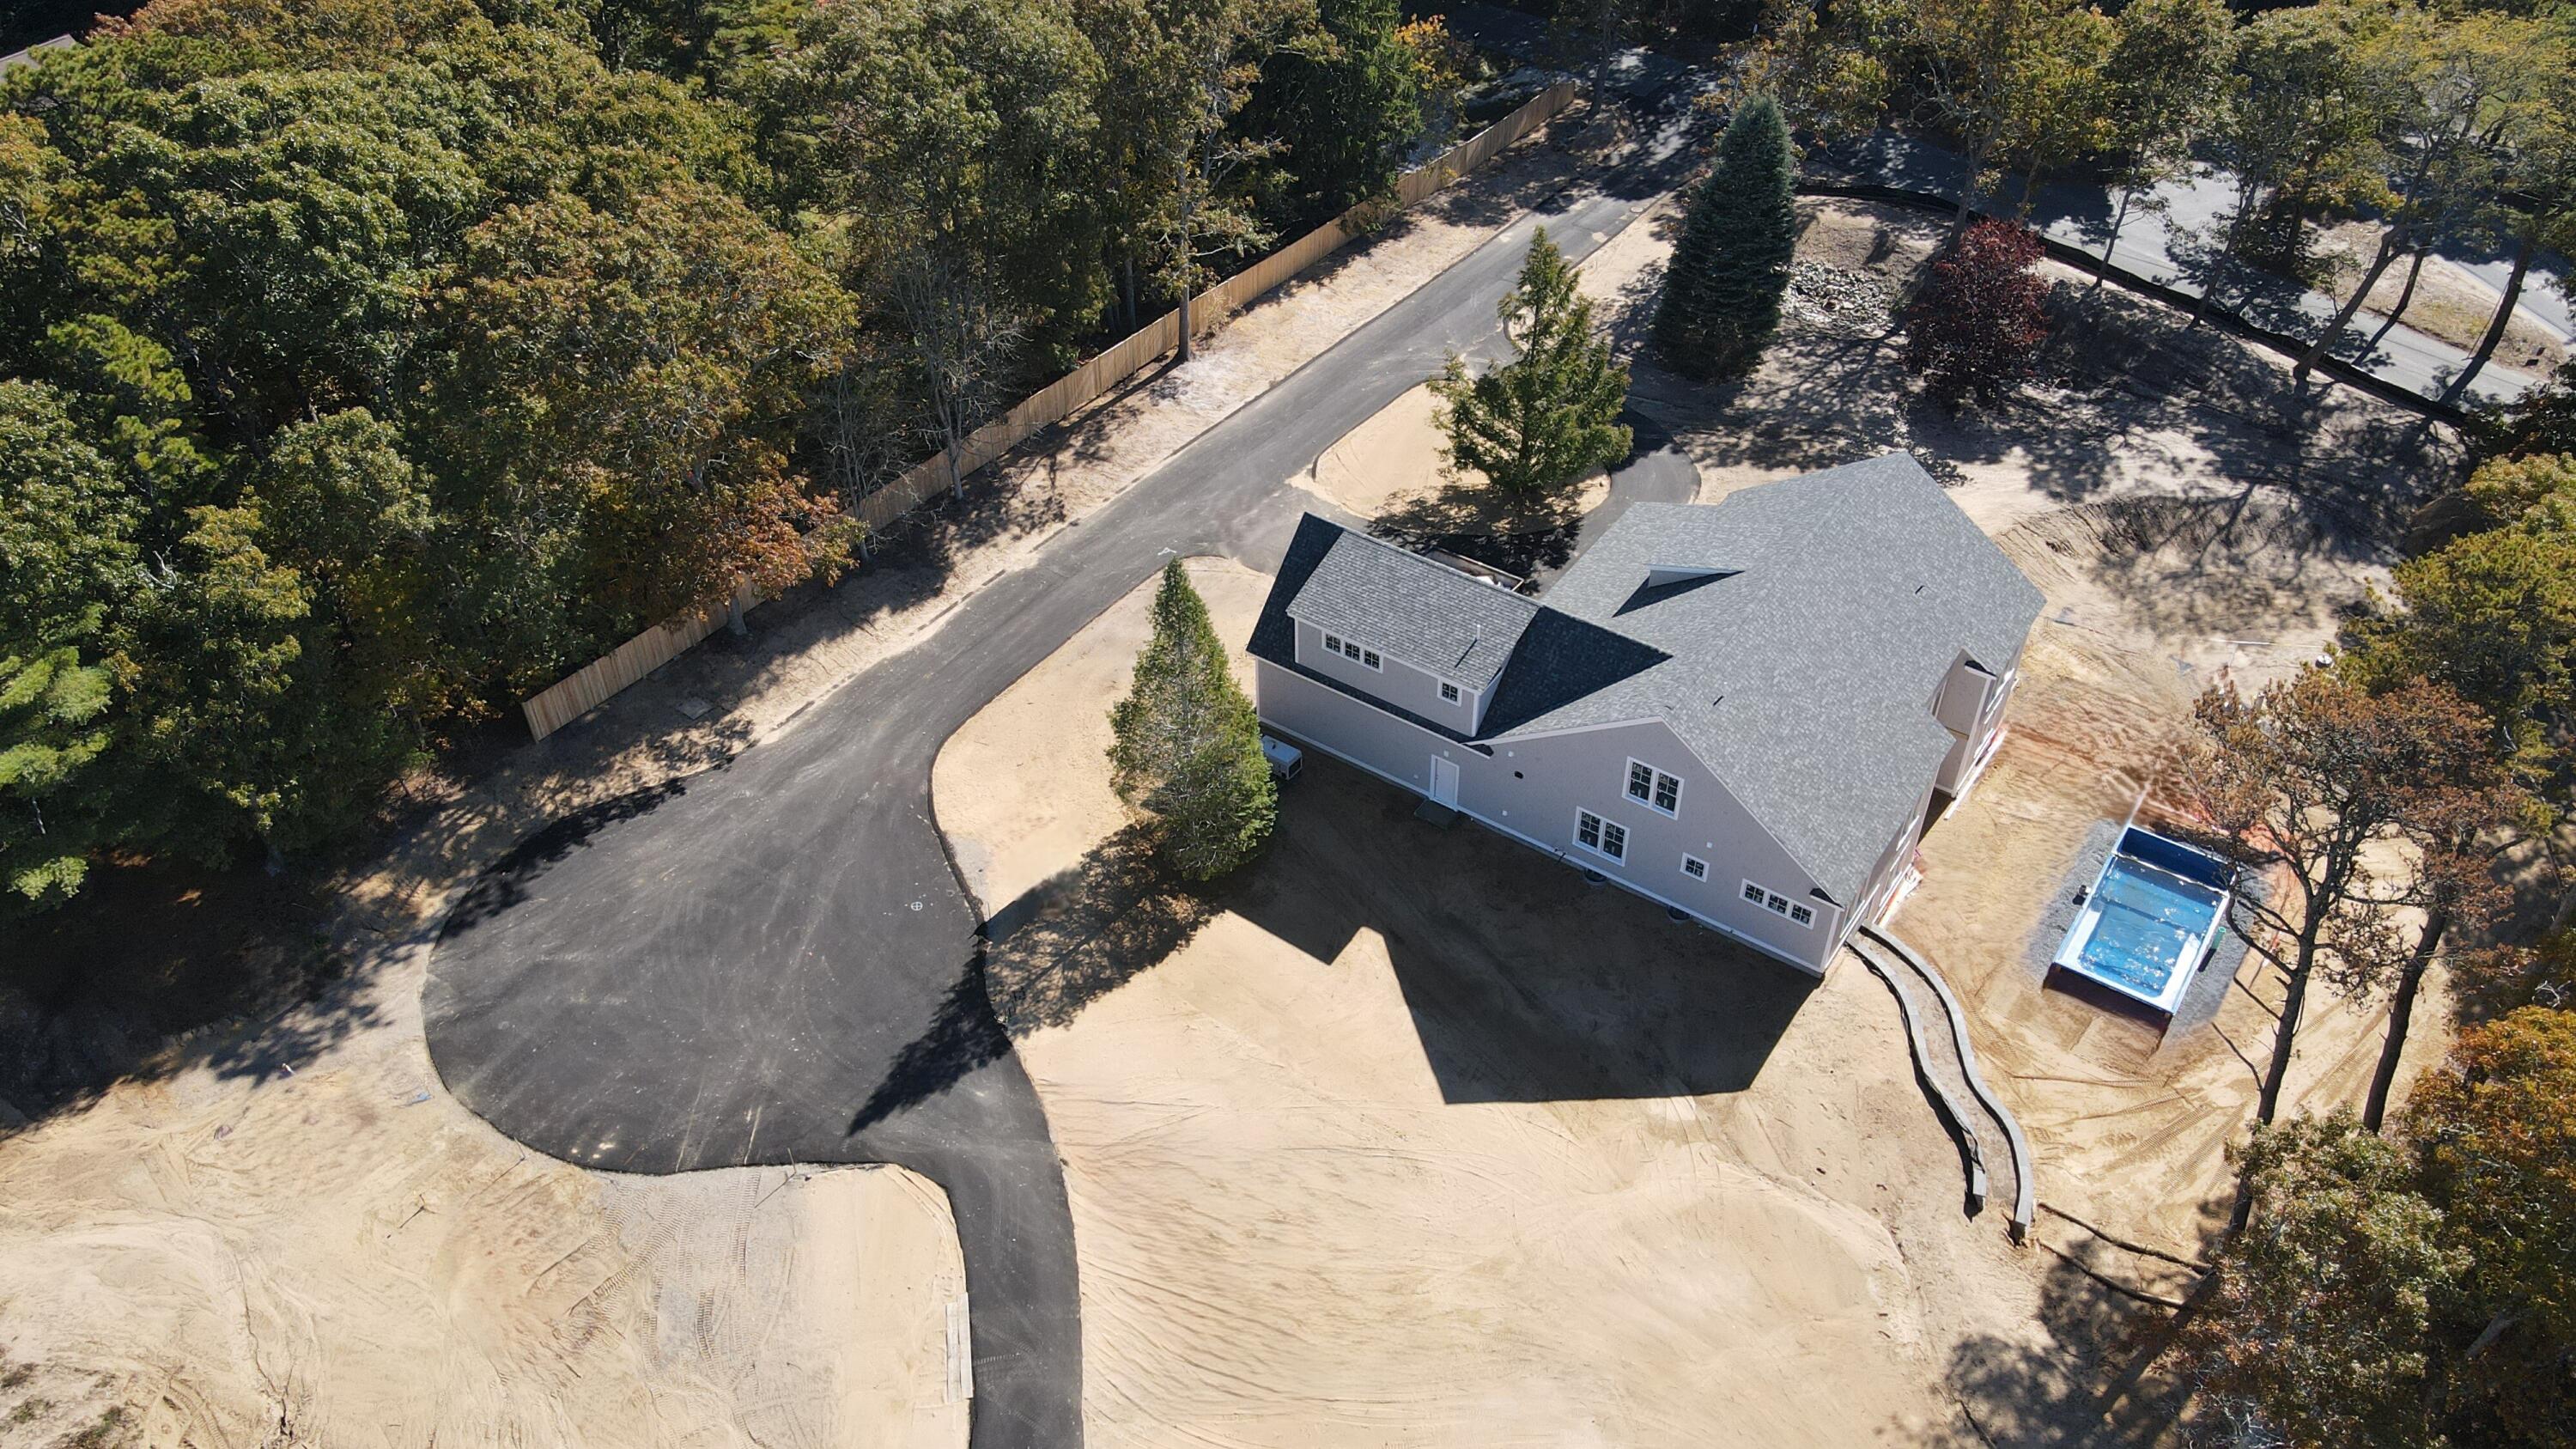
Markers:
point(1413, 1138)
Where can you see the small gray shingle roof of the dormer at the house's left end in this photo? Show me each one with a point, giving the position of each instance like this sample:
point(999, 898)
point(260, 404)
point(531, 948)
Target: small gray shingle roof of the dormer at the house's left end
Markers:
point(1413, 610)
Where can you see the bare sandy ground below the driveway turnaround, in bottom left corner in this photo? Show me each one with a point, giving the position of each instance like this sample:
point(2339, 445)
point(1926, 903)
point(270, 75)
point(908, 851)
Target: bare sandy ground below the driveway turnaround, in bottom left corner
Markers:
point(310, 1244)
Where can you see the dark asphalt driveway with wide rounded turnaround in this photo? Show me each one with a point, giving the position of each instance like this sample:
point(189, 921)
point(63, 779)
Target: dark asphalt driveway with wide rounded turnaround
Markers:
point(774, 960)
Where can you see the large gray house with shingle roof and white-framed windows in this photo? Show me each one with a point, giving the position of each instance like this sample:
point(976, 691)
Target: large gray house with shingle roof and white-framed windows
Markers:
point(1740, 710)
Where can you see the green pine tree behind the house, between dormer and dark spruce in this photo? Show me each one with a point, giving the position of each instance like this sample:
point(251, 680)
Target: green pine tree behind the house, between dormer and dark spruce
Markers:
point(1547, 419)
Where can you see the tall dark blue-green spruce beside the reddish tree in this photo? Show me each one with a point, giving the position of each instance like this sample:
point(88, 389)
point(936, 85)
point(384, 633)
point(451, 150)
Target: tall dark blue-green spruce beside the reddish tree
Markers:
point(1722, 293)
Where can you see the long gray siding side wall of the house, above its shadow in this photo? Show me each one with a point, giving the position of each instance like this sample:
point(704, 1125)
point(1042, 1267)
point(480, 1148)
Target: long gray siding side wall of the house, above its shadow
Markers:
point(1534, 790)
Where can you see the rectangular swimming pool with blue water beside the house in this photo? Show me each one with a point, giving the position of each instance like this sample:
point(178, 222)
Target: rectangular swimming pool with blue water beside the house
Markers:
point(2150, 919)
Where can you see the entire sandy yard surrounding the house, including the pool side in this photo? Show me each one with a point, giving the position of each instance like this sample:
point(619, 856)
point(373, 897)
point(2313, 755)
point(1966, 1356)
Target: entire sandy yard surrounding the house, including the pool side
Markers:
point(1410, 1138)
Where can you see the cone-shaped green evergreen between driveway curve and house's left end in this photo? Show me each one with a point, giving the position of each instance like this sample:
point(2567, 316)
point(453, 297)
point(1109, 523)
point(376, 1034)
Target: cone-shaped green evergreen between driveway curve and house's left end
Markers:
point(1189, 746)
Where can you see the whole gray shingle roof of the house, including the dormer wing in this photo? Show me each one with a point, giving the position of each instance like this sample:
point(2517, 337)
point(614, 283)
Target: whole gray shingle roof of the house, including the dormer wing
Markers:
point(1802, 677)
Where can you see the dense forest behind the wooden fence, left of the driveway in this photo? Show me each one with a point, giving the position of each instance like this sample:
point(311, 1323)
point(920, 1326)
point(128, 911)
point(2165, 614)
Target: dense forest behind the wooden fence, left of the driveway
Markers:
point(367, 367)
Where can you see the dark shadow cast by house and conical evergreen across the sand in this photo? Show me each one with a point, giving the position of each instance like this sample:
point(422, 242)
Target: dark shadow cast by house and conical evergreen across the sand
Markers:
point(1524, 981)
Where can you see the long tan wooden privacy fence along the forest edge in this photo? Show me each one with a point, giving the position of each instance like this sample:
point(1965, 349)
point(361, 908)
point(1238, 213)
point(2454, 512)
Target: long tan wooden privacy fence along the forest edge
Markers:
point(571, 697)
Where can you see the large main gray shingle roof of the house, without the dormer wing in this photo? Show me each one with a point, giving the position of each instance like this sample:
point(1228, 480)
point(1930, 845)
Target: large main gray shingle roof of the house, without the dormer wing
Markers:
point(1807, 677)
